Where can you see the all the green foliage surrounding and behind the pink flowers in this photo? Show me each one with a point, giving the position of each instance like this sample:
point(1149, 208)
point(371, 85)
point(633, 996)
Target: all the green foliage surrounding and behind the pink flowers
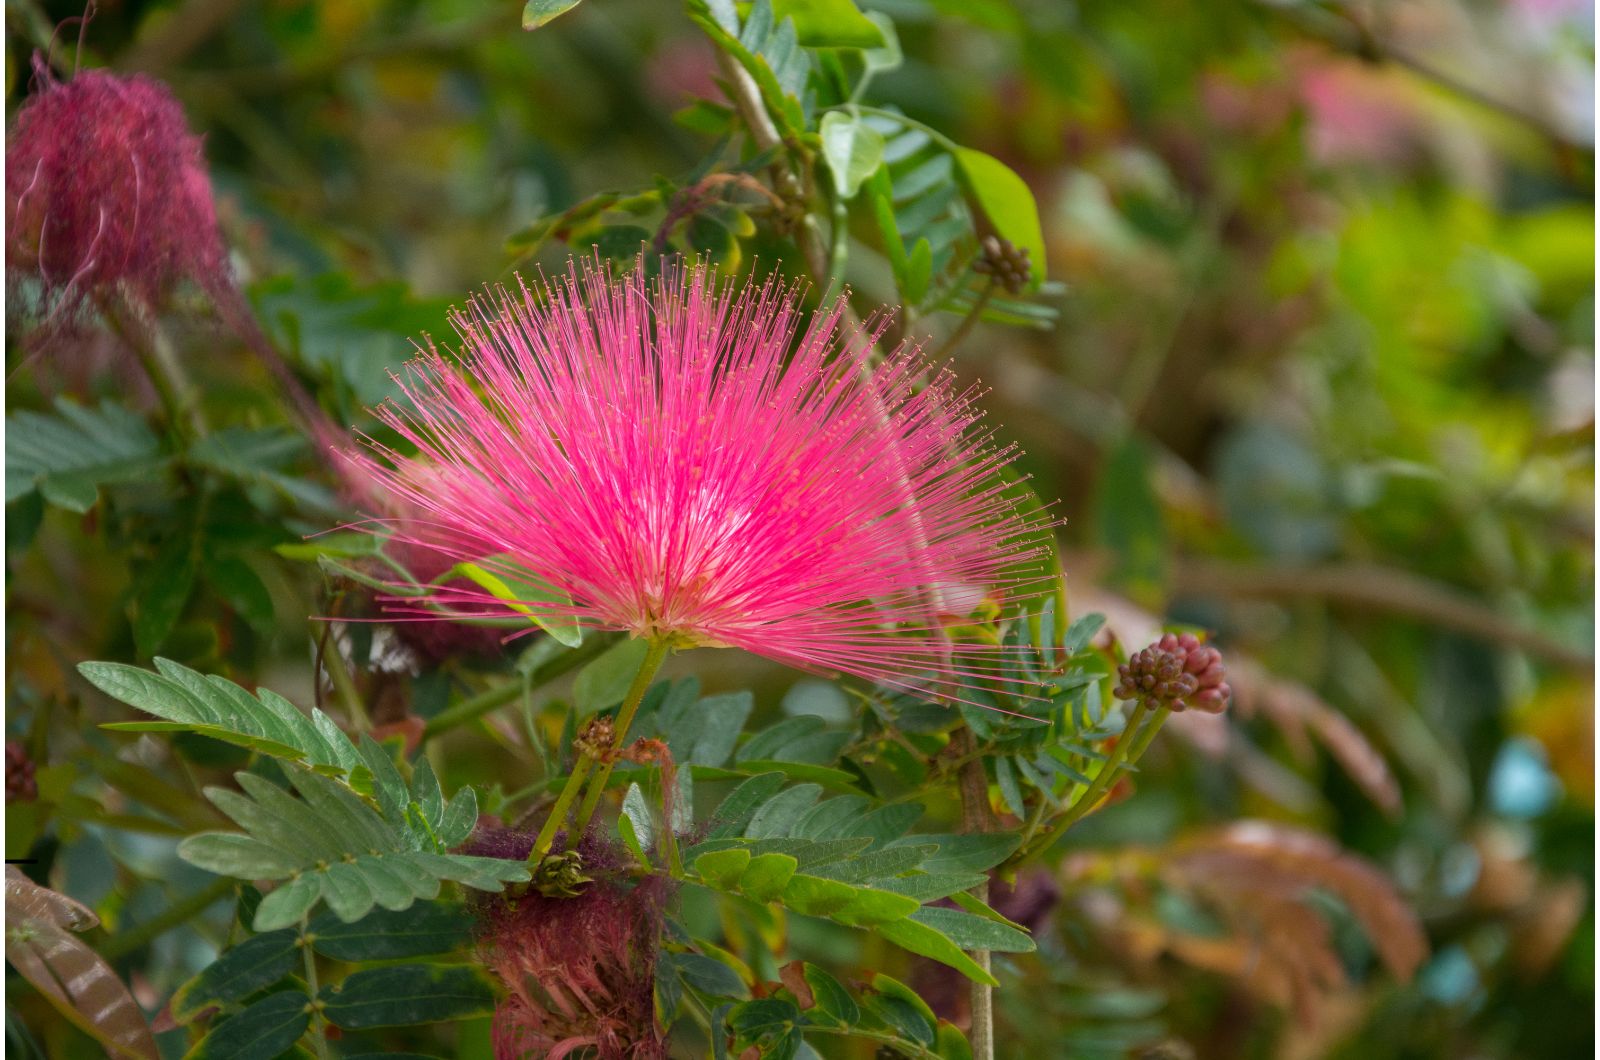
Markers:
point(1305, 359)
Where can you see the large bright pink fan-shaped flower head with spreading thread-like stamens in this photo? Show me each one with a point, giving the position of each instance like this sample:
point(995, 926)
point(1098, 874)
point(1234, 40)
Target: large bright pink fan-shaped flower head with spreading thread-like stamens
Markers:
point(687, 460)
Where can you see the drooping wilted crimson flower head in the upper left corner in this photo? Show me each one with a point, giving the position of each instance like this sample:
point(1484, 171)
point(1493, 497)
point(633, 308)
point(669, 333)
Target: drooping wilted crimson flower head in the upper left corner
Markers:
point(108, 188)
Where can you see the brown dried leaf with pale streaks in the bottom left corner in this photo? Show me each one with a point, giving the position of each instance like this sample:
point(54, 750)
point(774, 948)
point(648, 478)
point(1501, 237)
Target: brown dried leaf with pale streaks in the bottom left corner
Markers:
point(76, 981)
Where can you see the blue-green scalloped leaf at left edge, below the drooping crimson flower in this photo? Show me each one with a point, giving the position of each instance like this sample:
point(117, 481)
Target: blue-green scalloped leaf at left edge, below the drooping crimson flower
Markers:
point(74, 452)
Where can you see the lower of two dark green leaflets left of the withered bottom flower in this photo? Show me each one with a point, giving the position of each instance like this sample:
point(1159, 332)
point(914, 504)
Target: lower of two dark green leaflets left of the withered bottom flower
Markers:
point(409, 994)
